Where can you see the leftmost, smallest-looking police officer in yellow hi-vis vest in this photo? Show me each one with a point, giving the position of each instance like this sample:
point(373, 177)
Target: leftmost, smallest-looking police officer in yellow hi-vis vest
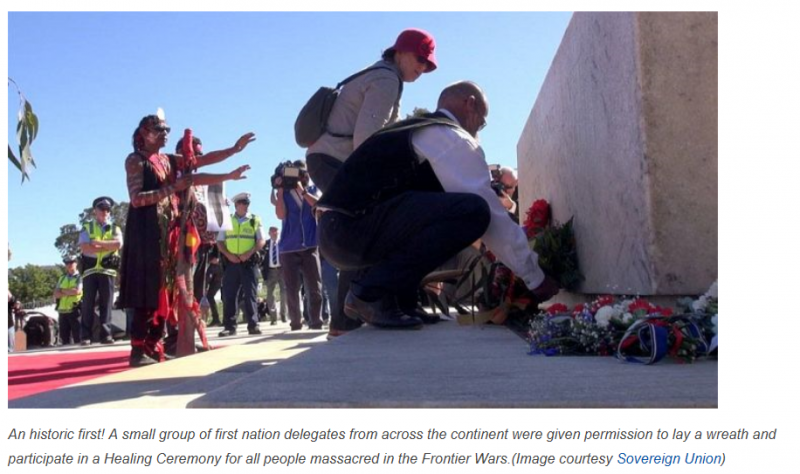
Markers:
point(68, 294)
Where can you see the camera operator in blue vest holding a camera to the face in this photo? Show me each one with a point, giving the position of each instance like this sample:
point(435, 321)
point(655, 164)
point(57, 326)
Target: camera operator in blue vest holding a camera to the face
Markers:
point(294, 199)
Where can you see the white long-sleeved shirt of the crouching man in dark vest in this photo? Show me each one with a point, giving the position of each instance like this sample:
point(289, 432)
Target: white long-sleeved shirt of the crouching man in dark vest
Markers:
point(460, 165)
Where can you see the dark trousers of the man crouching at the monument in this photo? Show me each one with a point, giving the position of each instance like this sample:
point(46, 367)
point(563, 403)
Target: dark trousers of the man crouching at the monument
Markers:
point(401, 240)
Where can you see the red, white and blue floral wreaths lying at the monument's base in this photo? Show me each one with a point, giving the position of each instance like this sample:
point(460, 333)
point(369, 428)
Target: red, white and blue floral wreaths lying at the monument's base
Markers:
point(607, 325)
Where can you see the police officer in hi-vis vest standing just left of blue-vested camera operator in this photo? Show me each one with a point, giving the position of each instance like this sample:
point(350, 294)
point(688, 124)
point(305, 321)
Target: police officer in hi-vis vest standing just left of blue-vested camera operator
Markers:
point(240, 247)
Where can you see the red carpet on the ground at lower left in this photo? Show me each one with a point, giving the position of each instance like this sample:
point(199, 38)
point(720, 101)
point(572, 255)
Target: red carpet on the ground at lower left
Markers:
point(29, 375)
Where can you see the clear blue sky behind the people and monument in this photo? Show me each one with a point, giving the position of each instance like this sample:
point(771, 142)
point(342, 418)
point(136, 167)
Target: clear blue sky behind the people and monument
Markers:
point(91, 76)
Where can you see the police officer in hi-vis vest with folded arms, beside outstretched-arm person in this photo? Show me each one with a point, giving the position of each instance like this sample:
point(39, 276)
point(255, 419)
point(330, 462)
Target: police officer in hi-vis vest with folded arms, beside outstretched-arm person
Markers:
point(100, 241)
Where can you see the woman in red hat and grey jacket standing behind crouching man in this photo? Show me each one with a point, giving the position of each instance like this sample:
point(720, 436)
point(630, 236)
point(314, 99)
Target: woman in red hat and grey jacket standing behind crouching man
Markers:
point(366, 104)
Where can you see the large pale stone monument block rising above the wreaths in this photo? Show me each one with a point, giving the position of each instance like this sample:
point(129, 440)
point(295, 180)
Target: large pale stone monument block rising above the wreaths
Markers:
point(623, 136)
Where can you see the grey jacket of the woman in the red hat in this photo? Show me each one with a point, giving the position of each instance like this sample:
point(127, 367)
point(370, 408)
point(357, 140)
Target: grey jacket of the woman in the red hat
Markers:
point(365, 105)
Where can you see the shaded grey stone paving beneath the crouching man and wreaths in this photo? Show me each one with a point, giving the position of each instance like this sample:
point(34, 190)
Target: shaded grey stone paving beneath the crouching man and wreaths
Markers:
point(452, 366)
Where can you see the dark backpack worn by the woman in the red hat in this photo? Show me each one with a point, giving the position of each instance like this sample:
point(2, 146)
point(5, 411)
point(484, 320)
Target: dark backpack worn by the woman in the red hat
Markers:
point(312, 121)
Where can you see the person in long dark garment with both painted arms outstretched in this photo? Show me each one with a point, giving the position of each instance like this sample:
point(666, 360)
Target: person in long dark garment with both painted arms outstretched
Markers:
point(148, 261)
